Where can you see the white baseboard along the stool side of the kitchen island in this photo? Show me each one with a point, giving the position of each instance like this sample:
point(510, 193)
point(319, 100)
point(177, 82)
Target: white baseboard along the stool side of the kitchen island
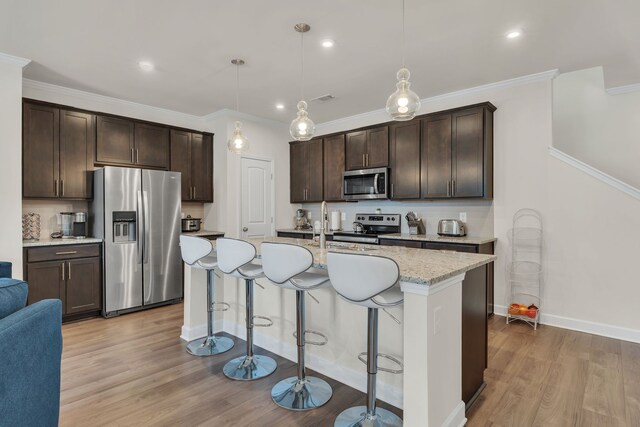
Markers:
point(351, 377)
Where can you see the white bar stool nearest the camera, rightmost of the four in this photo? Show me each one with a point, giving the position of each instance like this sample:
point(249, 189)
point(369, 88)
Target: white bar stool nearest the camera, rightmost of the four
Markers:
point(369, 281)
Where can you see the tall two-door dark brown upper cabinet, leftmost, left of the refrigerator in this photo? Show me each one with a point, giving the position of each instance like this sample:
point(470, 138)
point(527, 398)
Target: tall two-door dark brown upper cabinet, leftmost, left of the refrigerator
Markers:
point(57, 152)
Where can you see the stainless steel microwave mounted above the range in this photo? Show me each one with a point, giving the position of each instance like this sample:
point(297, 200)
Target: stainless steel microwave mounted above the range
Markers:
point(365, 184)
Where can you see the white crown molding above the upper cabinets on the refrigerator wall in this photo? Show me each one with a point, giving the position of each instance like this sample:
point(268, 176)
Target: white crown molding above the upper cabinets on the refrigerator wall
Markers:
point(103, 99)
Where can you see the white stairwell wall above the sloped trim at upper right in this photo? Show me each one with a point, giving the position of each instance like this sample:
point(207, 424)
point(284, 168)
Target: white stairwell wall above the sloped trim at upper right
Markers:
point(595, 127)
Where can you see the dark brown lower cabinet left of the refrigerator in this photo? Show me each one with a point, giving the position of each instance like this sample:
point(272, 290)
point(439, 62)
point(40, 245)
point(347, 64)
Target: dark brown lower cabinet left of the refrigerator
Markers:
point(71, 273)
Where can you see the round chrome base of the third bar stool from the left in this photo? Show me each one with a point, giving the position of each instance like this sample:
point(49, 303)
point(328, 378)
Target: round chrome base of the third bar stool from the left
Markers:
point(301, 395)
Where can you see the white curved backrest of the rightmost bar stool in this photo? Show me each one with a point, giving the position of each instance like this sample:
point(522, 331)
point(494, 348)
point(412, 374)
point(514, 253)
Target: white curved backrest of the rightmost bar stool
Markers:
point(361, 277)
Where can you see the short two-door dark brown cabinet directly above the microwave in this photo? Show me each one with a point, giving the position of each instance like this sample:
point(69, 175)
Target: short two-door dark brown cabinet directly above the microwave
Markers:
point(367, 148)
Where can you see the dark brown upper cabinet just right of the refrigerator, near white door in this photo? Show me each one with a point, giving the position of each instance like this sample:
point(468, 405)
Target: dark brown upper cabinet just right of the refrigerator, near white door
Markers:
point(192, 156)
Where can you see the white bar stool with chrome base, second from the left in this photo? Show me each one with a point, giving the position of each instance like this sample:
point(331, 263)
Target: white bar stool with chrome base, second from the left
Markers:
point(234, 259)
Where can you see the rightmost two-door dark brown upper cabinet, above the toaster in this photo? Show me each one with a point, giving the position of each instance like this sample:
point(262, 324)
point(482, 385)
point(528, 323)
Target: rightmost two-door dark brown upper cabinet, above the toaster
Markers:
point(457, 153)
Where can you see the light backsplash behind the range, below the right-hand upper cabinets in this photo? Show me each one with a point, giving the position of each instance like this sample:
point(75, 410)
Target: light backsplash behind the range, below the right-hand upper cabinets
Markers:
point(479, 213)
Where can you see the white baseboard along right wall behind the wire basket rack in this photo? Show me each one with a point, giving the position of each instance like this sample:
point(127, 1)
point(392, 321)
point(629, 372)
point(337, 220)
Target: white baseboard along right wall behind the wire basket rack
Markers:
point(602, 329)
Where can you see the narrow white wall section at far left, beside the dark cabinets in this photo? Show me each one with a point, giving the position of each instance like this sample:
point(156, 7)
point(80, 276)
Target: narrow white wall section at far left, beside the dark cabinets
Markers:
point(11, 169)
